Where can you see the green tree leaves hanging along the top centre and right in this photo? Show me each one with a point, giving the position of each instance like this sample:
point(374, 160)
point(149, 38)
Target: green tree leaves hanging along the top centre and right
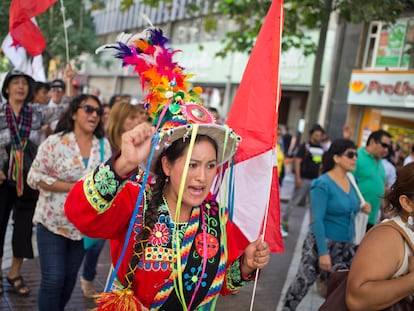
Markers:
point(300, 16)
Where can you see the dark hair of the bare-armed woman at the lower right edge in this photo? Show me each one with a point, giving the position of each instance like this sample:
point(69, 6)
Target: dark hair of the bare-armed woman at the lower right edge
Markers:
point(403, 185)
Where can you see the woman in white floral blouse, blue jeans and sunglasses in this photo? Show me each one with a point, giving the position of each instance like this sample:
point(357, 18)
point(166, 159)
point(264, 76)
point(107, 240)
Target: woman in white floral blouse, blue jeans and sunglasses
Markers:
point(75, 149)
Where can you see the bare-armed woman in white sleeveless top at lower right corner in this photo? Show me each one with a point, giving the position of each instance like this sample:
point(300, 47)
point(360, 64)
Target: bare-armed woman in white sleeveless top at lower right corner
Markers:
point(382, 272)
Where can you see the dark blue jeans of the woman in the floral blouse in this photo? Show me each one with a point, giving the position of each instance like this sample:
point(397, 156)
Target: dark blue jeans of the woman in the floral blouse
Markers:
point(60, 259)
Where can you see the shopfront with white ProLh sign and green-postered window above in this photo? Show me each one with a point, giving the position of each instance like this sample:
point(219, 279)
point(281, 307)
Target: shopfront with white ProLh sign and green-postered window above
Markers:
point(380, 92)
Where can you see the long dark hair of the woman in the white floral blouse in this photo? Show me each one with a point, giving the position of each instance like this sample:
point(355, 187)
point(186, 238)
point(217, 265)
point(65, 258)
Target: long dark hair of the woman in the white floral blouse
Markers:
point(66, 123)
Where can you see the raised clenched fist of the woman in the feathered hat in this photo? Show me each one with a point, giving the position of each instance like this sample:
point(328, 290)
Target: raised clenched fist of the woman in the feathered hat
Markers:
point(135, 148)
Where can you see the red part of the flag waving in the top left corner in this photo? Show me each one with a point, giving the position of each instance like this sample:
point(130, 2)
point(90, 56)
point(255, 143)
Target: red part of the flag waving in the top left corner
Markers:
point(23, 31)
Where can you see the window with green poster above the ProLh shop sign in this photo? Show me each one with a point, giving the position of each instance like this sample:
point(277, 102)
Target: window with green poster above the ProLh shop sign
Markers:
point(390, 46)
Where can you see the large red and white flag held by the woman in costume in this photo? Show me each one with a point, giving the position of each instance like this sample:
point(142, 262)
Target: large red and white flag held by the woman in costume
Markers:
point(254, 116)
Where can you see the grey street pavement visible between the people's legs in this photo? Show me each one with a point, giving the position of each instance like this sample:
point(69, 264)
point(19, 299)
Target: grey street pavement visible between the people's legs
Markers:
point(268, 291)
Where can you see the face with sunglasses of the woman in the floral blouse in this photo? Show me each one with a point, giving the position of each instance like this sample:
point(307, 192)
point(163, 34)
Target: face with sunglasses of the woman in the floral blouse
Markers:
point(88, 115)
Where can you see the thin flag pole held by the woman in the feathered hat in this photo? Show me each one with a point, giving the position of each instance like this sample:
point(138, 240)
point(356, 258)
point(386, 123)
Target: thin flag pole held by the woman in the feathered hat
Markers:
point(274, 155)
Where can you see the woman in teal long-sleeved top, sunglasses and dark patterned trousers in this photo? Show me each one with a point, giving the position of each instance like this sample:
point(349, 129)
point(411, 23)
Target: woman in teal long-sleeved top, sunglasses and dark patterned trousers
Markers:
point(329, 244)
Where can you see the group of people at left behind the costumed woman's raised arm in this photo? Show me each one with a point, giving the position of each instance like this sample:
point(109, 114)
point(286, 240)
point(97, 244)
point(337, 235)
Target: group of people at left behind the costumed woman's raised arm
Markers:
point(49, 139)
